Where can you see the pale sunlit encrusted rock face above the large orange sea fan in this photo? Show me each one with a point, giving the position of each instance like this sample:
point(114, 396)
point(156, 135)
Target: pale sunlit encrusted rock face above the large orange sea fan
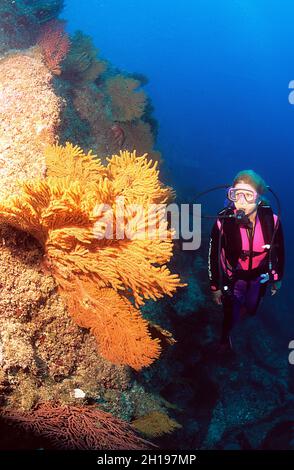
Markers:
point(29, 117)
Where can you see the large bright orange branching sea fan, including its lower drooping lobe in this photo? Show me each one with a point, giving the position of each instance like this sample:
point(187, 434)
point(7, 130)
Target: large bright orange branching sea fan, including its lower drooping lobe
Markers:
point(107, 257)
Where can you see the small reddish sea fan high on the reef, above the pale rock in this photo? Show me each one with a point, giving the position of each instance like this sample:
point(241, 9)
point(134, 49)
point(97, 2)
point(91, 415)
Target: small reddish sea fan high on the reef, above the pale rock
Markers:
point(54, 44)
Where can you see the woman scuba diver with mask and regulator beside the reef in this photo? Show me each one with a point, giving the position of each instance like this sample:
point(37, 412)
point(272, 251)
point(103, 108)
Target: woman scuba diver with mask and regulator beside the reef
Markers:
point(246, 252)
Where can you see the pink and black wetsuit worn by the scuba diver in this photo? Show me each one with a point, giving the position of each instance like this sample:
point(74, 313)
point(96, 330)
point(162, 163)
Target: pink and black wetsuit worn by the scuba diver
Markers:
point(243, 258)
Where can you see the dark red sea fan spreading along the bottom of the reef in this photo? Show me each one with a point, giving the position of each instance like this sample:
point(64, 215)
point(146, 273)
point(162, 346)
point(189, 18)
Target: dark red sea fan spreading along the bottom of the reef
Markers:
point(77, 427)
